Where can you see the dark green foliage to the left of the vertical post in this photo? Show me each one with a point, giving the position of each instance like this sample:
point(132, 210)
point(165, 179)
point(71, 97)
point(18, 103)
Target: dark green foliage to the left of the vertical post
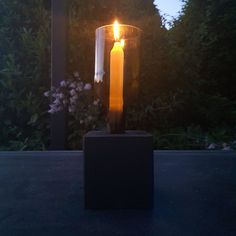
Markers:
point(24, 74)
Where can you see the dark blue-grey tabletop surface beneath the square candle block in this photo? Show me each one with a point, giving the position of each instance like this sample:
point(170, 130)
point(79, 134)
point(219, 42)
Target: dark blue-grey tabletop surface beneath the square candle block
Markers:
point(41, 193)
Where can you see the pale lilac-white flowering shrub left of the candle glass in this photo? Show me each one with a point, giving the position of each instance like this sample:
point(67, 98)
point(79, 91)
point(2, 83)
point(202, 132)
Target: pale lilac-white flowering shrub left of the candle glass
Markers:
point(74, 97)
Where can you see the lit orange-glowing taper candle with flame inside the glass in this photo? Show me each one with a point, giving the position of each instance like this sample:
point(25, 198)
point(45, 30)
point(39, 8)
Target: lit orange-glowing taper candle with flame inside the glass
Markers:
point(116, 77)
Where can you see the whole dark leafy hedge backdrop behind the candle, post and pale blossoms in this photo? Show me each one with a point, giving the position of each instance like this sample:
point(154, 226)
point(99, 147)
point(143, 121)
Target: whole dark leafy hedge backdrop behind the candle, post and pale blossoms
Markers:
point(187, 94)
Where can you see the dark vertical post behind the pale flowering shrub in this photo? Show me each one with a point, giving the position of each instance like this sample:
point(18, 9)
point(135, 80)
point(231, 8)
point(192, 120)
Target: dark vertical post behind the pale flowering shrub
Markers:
point(58, 70)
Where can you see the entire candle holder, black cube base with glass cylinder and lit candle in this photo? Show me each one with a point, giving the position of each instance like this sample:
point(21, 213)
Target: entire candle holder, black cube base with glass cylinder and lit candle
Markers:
point(118, 165)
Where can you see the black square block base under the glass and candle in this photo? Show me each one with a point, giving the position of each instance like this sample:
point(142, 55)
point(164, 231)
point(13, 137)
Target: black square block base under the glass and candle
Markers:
point(118, 170)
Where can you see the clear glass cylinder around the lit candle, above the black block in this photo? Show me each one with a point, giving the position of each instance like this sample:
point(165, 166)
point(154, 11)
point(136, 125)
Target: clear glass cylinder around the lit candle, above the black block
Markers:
point(117, 63)
